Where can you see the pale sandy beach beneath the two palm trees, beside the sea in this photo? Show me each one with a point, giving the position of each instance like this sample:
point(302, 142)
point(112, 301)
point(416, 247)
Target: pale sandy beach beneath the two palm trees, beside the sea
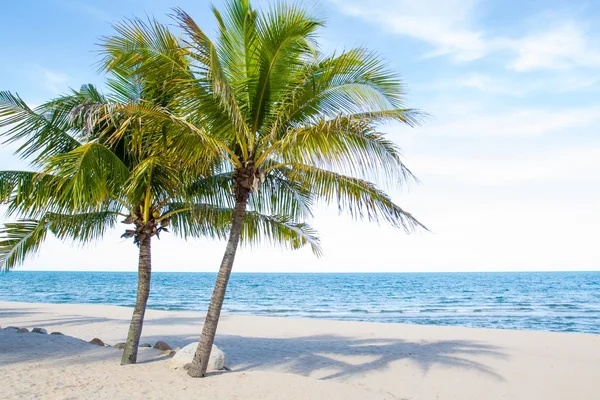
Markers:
point(281, 358)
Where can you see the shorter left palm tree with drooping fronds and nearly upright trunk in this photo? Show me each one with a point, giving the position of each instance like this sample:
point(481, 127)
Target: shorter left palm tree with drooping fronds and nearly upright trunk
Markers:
point(96, 165)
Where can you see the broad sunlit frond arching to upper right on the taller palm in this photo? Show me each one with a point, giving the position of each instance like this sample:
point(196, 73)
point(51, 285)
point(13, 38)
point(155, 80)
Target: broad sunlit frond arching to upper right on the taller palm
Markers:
point(351, 84)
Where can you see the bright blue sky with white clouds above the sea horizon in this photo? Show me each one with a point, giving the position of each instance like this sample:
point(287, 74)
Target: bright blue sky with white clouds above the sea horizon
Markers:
point(508, 158)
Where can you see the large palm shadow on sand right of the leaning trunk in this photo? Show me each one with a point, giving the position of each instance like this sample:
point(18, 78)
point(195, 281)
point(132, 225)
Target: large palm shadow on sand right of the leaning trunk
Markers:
point(349, 357)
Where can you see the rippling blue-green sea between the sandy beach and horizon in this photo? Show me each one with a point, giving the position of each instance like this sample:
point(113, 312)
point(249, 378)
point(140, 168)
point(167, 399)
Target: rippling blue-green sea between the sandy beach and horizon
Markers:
point(547, 301)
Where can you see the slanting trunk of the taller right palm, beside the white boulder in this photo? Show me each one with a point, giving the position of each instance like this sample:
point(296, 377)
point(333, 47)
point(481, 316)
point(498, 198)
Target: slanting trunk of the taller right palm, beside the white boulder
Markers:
point(200, 361)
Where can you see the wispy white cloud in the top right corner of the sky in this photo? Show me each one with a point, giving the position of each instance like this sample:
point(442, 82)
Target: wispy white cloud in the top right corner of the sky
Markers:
point(449, 26)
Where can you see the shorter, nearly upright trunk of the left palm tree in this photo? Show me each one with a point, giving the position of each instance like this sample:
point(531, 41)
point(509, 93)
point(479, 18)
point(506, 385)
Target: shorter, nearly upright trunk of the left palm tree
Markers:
point(137, 320)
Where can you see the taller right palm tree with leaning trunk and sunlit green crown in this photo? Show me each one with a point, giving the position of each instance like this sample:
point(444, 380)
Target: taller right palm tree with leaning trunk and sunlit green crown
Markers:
point(276, 107)
